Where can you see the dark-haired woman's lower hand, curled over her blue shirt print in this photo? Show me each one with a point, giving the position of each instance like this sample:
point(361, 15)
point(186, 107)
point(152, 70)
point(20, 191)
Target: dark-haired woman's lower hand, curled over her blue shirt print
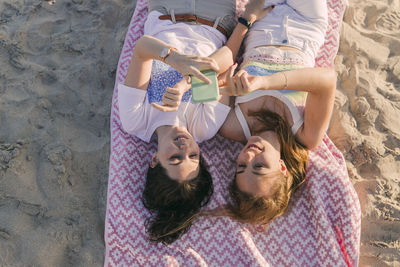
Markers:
point(173, 96)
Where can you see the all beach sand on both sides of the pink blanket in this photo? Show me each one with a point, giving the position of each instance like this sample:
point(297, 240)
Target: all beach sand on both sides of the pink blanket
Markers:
point(57, 72)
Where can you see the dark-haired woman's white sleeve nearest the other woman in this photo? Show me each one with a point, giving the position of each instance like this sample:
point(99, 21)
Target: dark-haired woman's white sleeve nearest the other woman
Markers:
point(206, 120)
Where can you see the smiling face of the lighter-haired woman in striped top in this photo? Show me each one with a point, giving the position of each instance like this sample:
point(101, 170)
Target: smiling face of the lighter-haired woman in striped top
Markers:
point(259, 165)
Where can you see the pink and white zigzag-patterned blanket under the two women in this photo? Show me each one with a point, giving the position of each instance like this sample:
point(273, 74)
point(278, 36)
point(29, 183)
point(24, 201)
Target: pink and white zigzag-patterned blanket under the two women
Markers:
point(321, 228)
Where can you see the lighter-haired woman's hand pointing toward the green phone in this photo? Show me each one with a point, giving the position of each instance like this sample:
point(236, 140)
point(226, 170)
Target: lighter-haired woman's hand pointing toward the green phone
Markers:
point(239, 84)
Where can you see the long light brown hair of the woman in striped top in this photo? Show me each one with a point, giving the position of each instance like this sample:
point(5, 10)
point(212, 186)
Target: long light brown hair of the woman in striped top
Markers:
point(261, 210)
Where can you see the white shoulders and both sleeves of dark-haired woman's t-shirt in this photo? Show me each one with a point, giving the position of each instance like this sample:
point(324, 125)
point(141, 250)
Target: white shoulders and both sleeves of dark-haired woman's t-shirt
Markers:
point(141, 119)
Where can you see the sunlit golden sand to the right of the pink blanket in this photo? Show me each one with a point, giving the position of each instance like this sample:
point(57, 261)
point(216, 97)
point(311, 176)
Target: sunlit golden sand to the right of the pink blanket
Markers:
point(366, 123)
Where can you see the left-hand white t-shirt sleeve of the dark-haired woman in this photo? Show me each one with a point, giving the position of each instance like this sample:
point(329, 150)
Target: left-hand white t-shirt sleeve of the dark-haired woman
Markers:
point(133, 111)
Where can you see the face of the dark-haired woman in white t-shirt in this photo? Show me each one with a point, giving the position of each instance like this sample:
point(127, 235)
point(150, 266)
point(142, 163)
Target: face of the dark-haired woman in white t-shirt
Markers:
point(178, 153)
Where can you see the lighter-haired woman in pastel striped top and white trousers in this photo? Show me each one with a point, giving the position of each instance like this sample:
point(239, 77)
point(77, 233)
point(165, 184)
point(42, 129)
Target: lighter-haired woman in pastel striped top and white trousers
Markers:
point(282, 109)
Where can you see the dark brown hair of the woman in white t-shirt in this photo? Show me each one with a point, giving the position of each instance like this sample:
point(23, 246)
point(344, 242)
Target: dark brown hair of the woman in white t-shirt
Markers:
point(173, 204)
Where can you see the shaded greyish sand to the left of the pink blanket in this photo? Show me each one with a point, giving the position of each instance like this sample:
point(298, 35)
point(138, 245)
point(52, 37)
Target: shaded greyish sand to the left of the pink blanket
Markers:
point(57, 72)
